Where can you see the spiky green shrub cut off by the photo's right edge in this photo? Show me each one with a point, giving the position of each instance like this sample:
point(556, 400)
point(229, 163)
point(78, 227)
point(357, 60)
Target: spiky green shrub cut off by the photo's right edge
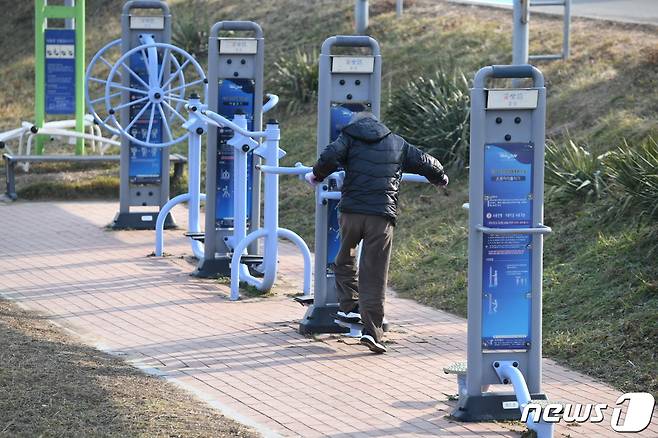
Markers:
point(634, 178)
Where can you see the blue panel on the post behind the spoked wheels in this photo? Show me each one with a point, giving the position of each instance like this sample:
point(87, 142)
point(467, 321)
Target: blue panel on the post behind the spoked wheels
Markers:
point(145, 162)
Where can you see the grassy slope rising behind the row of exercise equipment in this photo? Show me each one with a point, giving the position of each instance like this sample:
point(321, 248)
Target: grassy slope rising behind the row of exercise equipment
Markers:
point(601, 295)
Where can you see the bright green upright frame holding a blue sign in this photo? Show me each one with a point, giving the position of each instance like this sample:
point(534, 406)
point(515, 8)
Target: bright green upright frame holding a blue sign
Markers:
point(59, 65)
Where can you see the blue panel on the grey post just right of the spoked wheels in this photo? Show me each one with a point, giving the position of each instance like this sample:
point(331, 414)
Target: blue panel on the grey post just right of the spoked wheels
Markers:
point(234, 95)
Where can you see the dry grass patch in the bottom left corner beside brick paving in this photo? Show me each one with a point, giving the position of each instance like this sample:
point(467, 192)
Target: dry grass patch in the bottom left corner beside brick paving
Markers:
point(51, 385)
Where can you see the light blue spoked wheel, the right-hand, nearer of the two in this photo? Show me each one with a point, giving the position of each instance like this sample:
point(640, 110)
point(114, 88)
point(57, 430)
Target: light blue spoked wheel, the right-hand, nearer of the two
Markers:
point(160, 96)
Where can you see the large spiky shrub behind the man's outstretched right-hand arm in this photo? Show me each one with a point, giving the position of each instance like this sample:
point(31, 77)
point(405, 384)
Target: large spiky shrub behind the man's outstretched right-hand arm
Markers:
point(434, 113)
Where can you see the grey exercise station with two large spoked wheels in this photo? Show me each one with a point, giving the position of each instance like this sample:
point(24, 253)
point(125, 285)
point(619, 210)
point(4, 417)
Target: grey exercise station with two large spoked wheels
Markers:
point(141, 99)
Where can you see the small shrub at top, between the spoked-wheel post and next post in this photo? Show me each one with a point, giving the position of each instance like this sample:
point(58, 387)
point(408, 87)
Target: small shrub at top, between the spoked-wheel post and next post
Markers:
point(190, 27)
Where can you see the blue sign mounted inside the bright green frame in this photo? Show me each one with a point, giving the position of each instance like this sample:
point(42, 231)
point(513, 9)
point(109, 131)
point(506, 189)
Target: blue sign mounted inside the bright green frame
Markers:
point(60, 71)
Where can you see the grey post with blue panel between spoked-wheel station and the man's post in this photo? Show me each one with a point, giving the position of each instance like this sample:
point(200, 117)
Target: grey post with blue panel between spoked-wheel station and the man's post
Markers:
point(235, 76)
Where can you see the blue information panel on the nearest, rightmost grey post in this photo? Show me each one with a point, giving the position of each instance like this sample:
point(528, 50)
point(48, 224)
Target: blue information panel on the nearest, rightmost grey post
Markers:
point(506, 264)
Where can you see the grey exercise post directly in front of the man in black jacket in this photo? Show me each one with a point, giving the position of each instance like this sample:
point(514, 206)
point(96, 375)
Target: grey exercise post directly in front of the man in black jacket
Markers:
point(347, 84)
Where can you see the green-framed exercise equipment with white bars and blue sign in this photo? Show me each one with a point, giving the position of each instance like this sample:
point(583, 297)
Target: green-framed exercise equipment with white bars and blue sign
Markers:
point(59, 83)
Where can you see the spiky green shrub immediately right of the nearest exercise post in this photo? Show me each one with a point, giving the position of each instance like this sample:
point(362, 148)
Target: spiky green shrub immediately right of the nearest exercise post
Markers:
point(572, 172)
